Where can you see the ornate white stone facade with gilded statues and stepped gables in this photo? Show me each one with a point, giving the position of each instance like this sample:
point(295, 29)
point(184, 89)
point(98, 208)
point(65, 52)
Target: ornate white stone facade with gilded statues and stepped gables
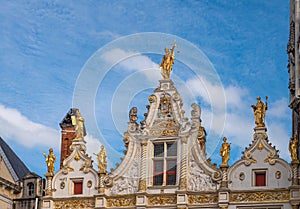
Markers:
point(165, 164)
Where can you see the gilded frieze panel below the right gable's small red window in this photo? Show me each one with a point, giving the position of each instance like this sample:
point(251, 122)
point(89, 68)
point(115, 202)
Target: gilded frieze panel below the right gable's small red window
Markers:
point(272, 196)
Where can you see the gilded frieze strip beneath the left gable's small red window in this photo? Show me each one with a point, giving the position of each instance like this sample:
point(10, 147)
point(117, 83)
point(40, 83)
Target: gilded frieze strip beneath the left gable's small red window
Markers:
point(75, 203)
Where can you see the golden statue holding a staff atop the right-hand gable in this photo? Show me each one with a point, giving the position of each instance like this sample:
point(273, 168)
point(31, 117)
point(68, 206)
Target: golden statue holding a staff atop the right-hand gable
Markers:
point(260, 112)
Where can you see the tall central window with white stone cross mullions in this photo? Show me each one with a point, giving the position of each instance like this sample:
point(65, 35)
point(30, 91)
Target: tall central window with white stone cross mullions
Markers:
point(164, 163)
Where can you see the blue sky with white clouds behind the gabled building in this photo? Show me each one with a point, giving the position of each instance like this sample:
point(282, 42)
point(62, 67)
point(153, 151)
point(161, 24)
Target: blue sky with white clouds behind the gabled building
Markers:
point(46, 45)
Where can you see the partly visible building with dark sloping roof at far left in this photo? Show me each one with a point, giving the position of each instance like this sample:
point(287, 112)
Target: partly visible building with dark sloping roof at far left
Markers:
point(19, 188)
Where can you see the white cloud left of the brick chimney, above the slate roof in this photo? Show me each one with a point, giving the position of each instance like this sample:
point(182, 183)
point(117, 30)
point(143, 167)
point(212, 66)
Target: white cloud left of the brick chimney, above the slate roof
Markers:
point(16, 127)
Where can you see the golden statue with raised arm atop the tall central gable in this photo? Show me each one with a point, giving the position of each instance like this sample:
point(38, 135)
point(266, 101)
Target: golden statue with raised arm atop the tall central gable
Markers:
point(167, 62)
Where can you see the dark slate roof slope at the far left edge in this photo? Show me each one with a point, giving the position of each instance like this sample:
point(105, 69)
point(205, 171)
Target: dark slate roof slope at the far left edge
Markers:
point(15, 165)
